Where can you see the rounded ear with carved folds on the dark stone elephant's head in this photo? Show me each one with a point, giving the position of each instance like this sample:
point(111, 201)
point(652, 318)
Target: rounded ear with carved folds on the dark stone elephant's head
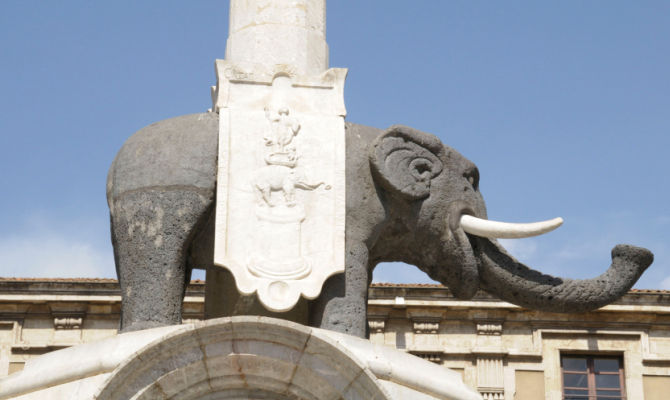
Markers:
point(406, 160)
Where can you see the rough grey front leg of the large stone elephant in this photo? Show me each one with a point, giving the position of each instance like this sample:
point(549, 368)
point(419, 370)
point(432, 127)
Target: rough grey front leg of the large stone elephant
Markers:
point(342, 305)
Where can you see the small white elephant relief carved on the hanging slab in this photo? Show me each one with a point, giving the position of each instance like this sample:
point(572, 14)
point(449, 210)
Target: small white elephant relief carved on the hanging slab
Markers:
point(273, 178)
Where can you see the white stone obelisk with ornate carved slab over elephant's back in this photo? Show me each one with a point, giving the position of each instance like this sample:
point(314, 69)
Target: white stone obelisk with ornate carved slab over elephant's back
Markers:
point(281, 187)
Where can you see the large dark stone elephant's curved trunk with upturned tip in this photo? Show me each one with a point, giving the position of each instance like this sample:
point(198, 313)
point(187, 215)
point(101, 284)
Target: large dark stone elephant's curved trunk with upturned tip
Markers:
point(502, 275)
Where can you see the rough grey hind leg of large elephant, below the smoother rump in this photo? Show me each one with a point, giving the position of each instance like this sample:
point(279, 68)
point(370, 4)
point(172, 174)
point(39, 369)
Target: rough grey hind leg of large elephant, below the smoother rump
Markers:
point(151, 232)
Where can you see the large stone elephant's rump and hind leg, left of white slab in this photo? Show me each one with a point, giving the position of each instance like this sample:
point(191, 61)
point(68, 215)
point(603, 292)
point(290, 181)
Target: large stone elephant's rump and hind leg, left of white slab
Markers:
point(160, 188)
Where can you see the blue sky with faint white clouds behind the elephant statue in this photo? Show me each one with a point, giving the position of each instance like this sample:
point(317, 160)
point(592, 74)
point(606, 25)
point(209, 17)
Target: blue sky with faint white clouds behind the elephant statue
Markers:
point(564, 107)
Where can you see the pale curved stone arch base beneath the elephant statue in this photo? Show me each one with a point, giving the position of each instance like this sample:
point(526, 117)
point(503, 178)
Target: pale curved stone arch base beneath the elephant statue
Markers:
point(240, 357)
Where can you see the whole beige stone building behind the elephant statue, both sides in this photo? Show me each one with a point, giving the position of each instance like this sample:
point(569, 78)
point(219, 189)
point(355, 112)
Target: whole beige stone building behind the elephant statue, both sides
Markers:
point(504, 351)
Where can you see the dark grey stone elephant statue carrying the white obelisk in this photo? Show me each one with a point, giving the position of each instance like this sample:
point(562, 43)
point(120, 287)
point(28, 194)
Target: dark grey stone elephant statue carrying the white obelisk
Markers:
point(407, 197)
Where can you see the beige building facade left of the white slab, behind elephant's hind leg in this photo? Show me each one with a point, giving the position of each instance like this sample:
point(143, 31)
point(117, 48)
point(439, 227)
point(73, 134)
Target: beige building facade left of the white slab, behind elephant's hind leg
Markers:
point(41, 315)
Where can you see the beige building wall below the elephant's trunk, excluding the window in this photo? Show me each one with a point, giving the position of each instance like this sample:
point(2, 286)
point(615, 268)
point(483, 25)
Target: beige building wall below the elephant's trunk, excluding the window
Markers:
point(507, 352)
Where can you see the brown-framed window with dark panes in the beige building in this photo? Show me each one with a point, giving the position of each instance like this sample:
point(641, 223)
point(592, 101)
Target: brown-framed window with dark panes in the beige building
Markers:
point(589, 377)
